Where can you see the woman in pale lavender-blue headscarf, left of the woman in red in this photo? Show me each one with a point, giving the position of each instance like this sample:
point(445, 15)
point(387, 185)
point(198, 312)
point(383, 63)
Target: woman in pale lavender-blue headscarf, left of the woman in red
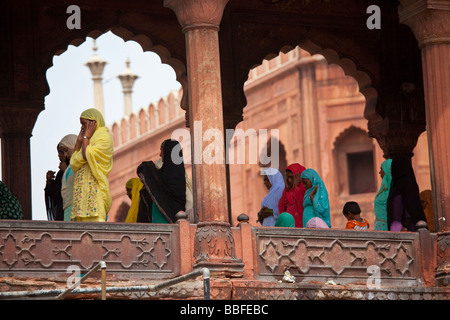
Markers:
point(273, 180)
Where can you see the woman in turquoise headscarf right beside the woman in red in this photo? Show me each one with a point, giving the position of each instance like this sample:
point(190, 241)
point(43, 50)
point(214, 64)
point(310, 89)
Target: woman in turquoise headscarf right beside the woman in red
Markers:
point(315, 202)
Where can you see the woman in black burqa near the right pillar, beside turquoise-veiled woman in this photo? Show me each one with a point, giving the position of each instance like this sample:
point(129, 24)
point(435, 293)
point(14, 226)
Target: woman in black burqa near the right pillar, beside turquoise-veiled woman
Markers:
point(404, 209)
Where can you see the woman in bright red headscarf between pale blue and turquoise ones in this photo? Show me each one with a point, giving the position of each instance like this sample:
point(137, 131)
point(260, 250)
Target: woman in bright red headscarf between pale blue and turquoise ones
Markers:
point(292, 199)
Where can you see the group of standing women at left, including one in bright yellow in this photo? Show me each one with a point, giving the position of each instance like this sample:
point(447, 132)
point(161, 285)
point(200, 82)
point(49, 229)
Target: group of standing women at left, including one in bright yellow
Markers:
point(80, 191)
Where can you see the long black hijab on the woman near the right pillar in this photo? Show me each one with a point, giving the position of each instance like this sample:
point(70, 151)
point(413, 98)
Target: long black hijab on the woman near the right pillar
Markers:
point(404, 183)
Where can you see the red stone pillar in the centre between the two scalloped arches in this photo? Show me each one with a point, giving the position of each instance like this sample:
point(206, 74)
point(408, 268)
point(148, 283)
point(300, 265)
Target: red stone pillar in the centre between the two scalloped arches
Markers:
point(214, 245)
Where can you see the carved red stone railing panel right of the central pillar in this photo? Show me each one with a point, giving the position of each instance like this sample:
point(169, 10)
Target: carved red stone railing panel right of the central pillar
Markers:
point(343, 256)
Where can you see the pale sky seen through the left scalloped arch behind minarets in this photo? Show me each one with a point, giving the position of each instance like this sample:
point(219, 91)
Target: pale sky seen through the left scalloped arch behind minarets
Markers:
point(71, 92)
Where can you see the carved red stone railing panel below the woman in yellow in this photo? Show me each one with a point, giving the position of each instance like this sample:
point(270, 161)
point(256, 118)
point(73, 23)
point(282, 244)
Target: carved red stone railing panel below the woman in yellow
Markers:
point(39, 248)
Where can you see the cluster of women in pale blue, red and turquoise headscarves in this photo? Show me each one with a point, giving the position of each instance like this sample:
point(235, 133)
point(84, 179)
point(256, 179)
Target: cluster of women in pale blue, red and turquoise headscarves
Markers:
point(300, 201)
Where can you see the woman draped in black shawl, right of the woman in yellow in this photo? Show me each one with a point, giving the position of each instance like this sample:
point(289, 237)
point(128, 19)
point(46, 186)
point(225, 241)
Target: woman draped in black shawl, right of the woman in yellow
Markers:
point(164, 192)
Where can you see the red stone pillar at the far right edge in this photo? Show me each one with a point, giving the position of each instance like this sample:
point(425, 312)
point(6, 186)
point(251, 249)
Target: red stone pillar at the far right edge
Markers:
point(430, 22)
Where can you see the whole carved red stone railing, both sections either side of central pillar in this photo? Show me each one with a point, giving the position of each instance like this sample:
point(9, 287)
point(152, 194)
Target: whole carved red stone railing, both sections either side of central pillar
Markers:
point(162, 251)
